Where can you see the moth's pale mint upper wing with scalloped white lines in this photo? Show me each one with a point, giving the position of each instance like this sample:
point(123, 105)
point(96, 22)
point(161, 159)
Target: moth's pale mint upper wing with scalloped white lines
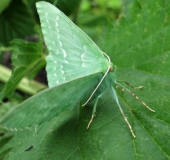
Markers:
point(70, 57)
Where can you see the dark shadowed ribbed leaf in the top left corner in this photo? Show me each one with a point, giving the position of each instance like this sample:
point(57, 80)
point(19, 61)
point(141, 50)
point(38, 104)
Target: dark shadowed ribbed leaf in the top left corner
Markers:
point(17, 22)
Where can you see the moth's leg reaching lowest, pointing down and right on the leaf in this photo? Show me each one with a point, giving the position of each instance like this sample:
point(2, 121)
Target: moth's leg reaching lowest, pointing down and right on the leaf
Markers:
point(124, 116)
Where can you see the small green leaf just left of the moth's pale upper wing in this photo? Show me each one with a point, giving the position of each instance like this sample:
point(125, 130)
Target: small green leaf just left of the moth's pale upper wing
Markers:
point(25, 56)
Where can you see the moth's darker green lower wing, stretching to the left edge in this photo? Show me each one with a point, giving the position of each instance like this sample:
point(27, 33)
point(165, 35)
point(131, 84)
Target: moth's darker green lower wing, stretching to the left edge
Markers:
point(49, 103)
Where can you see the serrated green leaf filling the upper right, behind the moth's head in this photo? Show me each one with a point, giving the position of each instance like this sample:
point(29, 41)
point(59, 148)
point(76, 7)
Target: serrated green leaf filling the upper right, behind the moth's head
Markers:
point(147, 48)
